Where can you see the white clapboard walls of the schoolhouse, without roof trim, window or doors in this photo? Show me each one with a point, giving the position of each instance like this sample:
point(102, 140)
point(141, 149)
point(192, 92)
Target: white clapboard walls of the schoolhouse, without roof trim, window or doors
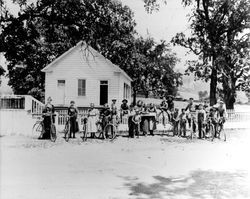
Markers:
point(92, 67)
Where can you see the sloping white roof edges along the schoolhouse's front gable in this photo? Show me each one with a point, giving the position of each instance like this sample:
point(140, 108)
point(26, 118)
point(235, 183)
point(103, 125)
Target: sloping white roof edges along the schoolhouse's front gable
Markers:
point(81, 43)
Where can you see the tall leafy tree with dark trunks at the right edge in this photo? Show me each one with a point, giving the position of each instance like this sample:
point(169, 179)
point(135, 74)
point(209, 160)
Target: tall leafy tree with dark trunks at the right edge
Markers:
point(216, 38)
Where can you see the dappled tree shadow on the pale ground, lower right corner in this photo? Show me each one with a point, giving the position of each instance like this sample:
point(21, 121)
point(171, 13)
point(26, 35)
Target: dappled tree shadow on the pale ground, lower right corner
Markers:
point(198, 185)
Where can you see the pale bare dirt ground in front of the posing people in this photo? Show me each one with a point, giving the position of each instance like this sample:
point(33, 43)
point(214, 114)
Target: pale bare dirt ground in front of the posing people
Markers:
point(148, 167)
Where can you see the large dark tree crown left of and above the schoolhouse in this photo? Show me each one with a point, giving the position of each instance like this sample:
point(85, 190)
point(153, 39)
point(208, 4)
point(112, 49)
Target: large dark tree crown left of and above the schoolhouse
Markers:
point(45, 29)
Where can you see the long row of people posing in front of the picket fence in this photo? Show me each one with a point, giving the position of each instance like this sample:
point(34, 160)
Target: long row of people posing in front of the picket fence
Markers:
point(143, 118)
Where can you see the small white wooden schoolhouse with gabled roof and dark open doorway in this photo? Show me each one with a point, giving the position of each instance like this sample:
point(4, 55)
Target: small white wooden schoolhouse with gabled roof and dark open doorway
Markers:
point(84, 75)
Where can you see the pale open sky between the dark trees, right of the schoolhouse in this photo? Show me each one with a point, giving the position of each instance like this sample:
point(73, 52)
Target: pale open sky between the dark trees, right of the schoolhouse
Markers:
point(163, 24)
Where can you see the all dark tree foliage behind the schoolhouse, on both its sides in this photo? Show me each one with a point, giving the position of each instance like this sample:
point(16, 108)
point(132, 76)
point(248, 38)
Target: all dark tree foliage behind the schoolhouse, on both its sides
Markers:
point(44, 30)
